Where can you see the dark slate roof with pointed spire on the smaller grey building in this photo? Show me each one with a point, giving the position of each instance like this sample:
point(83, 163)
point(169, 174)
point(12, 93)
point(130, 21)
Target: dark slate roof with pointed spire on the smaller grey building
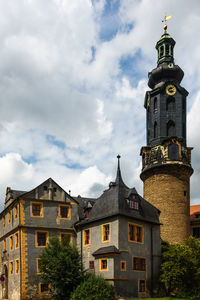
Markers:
point(115, 201)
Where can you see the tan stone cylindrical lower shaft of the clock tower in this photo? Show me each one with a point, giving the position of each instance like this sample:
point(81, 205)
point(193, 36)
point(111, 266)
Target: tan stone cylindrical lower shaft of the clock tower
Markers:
point(168, 188)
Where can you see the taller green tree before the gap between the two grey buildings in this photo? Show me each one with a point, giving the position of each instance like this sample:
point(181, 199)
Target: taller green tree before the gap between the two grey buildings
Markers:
point(60, 266)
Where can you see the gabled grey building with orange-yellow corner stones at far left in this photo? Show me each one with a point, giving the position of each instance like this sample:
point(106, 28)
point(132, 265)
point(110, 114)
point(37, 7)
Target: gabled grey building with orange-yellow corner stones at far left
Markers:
point(28, 221)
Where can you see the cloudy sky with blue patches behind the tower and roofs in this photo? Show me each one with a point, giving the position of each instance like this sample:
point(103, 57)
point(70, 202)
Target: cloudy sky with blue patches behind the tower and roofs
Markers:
point(73, 75)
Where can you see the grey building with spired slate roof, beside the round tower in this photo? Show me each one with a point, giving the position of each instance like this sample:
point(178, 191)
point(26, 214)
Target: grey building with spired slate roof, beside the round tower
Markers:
point(120, 240)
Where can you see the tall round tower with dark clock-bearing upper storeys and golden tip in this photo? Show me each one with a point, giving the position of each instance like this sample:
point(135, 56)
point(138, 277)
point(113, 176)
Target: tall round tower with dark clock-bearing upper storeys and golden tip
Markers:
point(166, 160)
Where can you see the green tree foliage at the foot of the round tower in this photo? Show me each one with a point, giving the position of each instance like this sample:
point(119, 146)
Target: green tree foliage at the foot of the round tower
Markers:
point(181, 267)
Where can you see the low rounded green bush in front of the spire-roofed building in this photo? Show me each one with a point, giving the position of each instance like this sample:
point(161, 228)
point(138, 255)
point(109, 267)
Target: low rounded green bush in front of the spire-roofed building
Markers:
point(94, 288)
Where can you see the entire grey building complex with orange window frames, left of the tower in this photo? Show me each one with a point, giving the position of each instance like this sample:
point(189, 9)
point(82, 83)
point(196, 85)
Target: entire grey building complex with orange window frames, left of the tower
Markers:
point(118, 236)
